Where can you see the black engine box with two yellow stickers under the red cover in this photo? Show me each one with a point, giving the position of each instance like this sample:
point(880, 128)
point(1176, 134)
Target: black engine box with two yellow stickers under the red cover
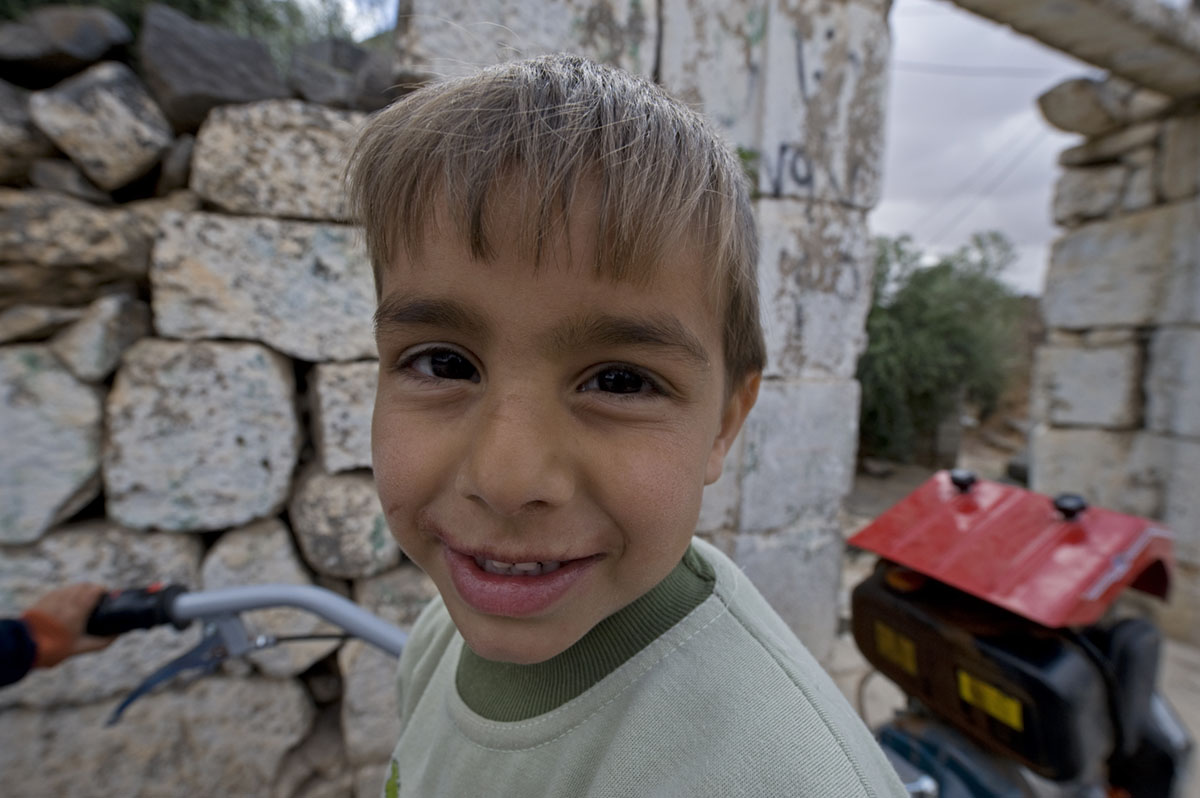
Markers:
point(1018, 689)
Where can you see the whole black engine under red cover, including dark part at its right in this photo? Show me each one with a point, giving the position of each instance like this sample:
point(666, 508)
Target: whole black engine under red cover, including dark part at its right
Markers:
point(1069, 705)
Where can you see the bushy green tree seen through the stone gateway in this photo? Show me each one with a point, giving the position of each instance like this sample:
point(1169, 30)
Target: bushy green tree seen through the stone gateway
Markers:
point(937, 333)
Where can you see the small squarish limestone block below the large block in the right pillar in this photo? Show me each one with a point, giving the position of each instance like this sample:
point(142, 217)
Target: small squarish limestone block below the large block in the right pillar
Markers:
point(1089, 387)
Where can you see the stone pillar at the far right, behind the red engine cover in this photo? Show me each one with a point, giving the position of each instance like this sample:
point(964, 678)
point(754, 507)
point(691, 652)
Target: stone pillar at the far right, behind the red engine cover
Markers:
point(1117, 387)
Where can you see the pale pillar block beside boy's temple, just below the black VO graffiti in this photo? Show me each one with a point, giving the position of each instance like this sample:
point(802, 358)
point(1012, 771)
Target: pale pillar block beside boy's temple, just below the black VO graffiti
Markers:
point(815, 269)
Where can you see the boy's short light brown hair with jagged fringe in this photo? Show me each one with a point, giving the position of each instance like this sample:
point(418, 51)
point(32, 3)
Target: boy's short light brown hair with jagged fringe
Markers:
point(550, 127)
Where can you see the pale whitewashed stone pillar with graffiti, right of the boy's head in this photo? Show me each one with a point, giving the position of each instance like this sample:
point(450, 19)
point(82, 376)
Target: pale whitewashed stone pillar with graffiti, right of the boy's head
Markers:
point(800, 88)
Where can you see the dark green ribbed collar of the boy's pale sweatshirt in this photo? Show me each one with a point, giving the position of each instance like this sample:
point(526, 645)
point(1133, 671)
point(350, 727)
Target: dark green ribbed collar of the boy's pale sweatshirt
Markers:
point(506, 692)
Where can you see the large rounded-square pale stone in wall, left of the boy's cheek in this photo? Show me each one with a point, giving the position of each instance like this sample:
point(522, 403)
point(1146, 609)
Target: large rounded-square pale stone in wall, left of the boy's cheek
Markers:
point(201, 436)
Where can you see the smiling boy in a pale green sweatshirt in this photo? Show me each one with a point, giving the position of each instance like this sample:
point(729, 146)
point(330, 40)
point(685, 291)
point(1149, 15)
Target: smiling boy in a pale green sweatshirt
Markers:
point(569, 344)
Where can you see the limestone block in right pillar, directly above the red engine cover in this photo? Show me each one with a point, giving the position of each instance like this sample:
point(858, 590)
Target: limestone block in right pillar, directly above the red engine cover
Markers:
point(1124, 471)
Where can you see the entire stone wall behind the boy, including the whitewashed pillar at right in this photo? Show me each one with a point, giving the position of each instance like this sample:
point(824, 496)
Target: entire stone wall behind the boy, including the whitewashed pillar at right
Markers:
point(187, 361)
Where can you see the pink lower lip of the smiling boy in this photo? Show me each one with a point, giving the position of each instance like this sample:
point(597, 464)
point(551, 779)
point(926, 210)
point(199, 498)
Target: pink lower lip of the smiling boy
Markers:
point(513, 597)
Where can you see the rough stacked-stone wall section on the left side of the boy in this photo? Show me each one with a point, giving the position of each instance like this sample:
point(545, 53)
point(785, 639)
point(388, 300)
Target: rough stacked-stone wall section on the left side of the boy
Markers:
point(187, 376)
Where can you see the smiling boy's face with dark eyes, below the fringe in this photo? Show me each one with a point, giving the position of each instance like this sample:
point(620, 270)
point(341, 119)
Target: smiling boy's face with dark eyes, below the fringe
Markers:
point(542, 437)
